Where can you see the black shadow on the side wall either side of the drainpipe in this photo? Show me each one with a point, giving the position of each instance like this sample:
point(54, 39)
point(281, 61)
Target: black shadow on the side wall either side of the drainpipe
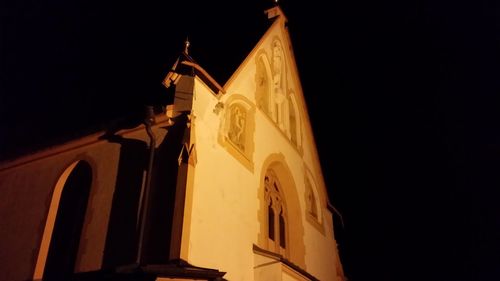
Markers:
point(122, 236)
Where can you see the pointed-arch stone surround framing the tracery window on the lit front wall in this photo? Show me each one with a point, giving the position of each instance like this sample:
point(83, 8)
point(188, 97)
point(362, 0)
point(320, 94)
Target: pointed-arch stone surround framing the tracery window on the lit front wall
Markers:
point(294, 226)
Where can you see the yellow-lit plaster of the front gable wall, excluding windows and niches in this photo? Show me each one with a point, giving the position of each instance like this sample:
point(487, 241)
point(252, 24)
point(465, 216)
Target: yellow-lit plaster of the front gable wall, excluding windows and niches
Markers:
point(224, 222)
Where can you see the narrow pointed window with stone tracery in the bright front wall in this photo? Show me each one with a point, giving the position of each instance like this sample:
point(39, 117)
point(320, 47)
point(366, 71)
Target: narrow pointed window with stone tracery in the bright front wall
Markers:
point(276, 214)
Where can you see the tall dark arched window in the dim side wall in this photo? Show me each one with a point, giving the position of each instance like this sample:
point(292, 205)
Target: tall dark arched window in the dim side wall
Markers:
point(61, 236)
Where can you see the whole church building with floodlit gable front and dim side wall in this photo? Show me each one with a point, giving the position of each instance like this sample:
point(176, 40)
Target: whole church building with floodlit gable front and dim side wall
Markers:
point(224, 184)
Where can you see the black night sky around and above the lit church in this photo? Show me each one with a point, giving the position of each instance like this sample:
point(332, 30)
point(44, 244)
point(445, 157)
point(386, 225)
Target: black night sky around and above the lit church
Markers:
point(403, 96)
